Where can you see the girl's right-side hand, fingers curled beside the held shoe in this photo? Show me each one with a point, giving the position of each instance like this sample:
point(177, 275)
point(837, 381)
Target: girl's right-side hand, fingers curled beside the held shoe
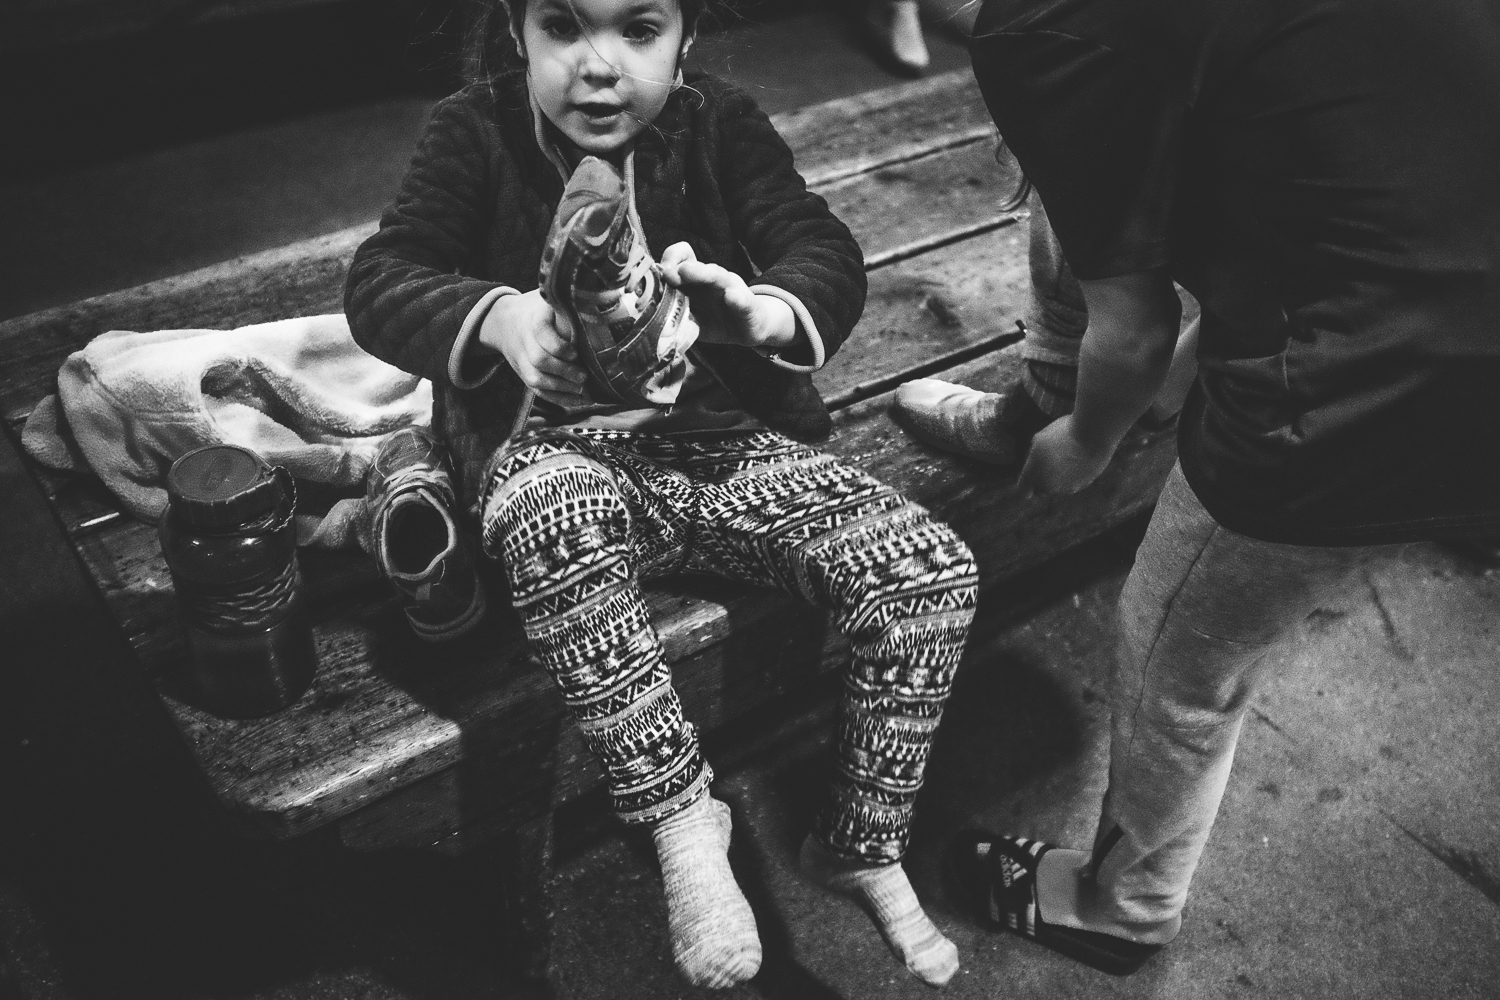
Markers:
point(724, 305)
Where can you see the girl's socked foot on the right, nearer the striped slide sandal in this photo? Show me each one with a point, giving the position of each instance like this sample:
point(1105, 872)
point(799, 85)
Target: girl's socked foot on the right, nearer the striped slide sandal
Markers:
point(889, 899)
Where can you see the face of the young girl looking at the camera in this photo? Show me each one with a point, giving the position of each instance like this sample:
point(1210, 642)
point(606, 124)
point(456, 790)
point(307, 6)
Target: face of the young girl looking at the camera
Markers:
point(602, 70)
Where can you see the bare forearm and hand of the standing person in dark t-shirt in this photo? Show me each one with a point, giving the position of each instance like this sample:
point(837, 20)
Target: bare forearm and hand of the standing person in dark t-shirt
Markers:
point(1123, 367)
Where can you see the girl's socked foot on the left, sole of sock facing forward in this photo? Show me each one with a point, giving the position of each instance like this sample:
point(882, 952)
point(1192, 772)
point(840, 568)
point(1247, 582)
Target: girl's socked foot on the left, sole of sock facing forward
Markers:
point(715, 939)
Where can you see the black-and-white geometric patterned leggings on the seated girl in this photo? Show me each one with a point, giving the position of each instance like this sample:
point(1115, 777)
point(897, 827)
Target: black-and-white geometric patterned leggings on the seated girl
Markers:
point(581, 515)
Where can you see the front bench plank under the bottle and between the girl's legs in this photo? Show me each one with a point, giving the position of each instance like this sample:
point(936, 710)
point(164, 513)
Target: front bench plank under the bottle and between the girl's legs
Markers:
point(388, 710)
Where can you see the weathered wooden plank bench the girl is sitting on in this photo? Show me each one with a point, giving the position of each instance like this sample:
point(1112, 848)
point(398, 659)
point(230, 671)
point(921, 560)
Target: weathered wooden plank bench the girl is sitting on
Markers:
point(403, 744)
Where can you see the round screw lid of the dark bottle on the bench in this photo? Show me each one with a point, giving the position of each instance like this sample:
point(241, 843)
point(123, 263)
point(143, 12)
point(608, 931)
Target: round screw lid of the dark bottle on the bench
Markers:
point(223, 487)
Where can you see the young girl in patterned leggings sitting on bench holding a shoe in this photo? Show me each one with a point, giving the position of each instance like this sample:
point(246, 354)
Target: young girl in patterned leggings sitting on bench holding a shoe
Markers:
point(583, 496)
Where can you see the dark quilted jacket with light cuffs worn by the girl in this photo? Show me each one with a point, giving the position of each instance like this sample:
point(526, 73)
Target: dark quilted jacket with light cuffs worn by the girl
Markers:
point(475, 212)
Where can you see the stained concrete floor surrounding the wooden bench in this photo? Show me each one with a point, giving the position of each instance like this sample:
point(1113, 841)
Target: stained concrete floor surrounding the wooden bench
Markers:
point(1358, 852)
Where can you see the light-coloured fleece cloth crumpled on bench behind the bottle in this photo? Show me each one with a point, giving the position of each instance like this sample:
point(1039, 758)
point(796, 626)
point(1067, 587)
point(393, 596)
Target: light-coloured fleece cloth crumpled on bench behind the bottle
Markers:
point(298, 392)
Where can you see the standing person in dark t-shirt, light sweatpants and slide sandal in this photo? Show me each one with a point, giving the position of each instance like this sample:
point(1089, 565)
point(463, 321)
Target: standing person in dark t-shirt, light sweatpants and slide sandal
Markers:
point(1322, 176)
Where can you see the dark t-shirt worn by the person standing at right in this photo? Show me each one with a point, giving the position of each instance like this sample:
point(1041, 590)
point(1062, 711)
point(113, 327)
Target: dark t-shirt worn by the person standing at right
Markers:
point(1325, 178)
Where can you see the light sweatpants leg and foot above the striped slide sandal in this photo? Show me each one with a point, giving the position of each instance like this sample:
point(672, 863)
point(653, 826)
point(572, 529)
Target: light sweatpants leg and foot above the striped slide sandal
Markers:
point(1199, 612)
